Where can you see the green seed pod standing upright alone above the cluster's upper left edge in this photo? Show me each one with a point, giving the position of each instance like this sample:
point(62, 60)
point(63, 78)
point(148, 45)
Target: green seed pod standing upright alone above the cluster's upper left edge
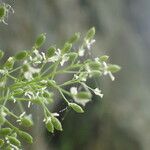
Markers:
point(40, 40)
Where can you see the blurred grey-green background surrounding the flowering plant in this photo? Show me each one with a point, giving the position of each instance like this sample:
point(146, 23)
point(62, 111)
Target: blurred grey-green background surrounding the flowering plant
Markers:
point(119, 121)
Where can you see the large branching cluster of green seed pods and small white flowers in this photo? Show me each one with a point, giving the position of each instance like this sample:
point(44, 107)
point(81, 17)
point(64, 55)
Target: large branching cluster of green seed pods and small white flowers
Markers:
point(30, 76)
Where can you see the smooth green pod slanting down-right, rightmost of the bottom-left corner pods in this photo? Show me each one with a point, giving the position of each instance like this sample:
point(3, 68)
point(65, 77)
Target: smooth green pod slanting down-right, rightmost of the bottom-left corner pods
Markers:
point(25, 136)
